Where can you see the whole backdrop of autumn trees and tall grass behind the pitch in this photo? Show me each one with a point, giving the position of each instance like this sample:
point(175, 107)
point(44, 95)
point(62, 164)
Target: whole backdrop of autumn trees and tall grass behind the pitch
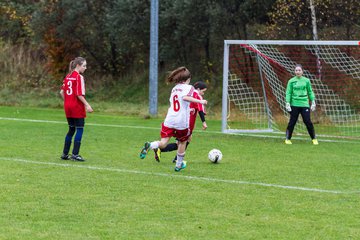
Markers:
point(38, 39)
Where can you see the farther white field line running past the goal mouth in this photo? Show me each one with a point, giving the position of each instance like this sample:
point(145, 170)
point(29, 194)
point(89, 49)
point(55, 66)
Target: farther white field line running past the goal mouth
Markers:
point(157, 128)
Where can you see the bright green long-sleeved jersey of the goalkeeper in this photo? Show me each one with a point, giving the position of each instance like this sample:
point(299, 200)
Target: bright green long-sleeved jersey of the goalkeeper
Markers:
point(299, 92)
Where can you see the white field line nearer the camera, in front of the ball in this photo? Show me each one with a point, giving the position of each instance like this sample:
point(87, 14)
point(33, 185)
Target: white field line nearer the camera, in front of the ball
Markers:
point(178, 175)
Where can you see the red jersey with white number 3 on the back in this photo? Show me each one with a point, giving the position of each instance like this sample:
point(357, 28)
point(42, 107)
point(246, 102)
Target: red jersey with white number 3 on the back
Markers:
point(74, 86)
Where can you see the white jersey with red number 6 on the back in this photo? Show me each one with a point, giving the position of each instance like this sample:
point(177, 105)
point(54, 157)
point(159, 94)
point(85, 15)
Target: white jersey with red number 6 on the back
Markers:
point(179, 111)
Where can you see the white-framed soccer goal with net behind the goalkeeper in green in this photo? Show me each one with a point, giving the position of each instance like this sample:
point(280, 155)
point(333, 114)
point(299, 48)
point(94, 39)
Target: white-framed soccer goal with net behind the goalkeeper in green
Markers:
point(260, 57)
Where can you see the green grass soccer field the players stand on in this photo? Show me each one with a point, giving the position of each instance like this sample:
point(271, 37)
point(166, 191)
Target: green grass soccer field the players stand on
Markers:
point(262, 189)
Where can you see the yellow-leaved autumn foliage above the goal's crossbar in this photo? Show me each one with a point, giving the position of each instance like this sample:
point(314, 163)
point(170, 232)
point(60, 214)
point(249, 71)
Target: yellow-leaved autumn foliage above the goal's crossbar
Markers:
point(292, 20)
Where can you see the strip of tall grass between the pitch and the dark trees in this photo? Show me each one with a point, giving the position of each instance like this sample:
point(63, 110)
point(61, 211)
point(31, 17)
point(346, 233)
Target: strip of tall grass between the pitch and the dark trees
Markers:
point(24, 81)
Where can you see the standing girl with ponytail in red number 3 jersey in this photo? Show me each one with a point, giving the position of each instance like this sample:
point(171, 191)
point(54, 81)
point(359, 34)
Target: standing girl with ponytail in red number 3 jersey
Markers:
point(75, 106)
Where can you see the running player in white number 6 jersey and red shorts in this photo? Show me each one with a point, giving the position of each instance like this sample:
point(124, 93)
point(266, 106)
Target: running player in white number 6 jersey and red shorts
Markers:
point(177, 121)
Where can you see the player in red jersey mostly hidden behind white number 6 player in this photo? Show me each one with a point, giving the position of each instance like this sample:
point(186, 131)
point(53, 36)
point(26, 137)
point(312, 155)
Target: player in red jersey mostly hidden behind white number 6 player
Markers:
point(195, 108)
